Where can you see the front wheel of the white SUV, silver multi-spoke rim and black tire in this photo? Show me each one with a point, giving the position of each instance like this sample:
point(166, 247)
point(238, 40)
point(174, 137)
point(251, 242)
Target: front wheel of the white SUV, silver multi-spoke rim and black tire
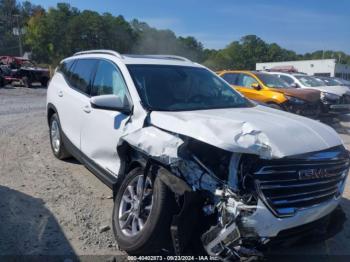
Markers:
point(149, 236)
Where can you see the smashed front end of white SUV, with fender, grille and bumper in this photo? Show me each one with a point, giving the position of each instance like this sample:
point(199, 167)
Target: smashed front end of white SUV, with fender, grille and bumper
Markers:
point(245, 200)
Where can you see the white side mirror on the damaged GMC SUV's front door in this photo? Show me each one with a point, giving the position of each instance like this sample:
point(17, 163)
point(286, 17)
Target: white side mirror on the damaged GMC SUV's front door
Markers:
point(111, 102)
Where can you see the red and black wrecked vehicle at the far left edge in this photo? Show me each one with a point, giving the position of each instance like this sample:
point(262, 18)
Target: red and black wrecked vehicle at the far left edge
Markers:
point(23, 71)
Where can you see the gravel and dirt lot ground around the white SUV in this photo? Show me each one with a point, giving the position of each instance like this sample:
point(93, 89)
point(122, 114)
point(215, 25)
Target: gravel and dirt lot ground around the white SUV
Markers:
point(51, 207)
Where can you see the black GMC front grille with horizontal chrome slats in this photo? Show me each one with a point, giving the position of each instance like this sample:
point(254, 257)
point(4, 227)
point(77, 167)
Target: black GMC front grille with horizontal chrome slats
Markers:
point(287, 186)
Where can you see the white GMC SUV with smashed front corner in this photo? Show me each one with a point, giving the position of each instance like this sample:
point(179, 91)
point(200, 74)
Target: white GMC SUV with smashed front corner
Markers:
point(189, 159)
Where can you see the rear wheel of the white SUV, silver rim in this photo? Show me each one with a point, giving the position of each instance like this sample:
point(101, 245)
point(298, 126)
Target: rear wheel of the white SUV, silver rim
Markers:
point(57, 146)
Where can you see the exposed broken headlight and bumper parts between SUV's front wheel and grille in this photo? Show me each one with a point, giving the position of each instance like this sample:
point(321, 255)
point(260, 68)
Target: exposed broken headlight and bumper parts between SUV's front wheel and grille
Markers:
point(215, 174)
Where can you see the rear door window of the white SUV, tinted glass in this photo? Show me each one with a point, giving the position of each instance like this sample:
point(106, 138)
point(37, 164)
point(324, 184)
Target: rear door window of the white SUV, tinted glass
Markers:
point(82, 73)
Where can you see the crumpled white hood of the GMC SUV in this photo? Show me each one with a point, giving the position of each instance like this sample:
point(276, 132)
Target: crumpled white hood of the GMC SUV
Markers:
point(259, 130)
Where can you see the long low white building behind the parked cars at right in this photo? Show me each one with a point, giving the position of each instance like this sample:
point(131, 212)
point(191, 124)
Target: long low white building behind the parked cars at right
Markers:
point(320, 67)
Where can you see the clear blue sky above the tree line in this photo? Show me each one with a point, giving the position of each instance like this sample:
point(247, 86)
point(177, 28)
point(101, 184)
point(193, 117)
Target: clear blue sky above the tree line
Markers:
point(299, 25)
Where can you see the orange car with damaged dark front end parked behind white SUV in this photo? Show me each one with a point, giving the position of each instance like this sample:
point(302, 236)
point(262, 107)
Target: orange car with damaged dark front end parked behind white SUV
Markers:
point(273, 91)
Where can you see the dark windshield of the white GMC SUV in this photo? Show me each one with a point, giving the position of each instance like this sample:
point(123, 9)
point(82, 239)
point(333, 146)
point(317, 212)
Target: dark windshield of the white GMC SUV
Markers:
point(181, 88)
